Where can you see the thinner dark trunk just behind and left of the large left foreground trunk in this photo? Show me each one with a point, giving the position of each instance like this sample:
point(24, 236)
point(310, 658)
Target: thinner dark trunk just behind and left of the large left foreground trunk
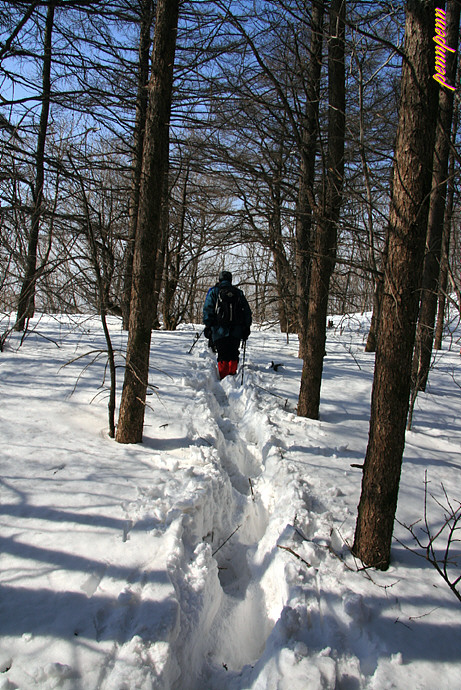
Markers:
point(147, 16)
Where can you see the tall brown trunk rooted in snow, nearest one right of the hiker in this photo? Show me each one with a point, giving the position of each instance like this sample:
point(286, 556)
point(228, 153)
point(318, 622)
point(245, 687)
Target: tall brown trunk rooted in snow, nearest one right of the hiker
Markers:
point(324, 249)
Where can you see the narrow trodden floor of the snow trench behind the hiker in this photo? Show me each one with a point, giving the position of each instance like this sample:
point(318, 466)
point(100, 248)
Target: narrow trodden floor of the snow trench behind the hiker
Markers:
point(243, 605)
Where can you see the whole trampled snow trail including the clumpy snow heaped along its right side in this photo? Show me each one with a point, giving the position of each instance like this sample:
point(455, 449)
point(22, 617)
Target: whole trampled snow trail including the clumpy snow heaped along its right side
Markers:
point(267, 519)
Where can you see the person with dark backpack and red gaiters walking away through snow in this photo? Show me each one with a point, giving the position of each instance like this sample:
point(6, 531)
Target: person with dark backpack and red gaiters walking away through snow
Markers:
point(227, 319)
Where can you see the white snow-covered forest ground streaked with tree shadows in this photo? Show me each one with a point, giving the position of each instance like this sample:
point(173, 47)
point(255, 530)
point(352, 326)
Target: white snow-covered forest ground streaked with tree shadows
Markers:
point(214, 555)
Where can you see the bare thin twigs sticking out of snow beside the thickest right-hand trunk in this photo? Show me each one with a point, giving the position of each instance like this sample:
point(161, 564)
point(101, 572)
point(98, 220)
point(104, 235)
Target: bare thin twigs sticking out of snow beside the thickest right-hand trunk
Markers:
point(450, 529)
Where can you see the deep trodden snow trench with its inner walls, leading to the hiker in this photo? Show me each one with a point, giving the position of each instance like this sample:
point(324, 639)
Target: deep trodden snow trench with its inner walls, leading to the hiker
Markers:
point(225, 626)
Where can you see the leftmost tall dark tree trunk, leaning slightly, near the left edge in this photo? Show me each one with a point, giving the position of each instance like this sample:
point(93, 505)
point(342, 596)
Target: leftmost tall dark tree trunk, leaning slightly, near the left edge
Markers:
point(26, 303)
